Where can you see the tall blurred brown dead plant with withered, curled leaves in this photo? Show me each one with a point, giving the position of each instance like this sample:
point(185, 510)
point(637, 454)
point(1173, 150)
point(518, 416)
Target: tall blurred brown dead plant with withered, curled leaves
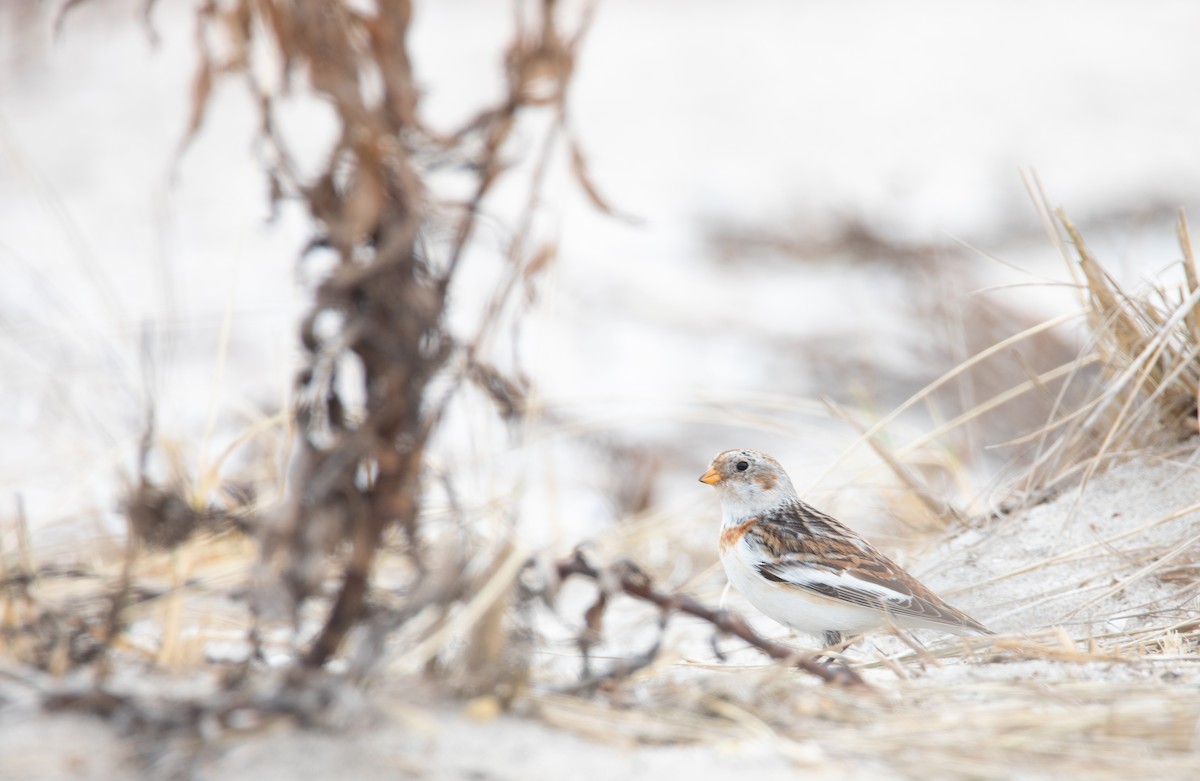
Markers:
point(358, 470)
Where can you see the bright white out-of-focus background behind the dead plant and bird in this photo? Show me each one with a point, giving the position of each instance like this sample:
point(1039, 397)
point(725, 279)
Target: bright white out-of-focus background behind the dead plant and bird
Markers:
point(797, 188)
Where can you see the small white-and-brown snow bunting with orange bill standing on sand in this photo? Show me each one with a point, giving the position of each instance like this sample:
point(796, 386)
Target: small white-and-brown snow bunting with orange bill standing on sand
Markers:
point(806, 570)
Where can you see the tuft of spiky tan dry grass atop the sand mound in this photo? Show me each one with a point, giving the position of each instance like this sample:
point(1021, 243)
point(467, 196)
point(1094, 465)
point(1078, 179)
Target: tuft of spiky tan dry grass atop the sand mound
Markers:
point(1133, 388)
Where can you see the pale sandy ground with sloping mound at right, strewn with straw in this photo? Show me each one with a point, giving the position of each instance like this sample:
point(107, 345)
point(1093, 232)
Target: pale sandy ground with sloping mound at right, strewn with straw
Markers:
point(1109, 695)
